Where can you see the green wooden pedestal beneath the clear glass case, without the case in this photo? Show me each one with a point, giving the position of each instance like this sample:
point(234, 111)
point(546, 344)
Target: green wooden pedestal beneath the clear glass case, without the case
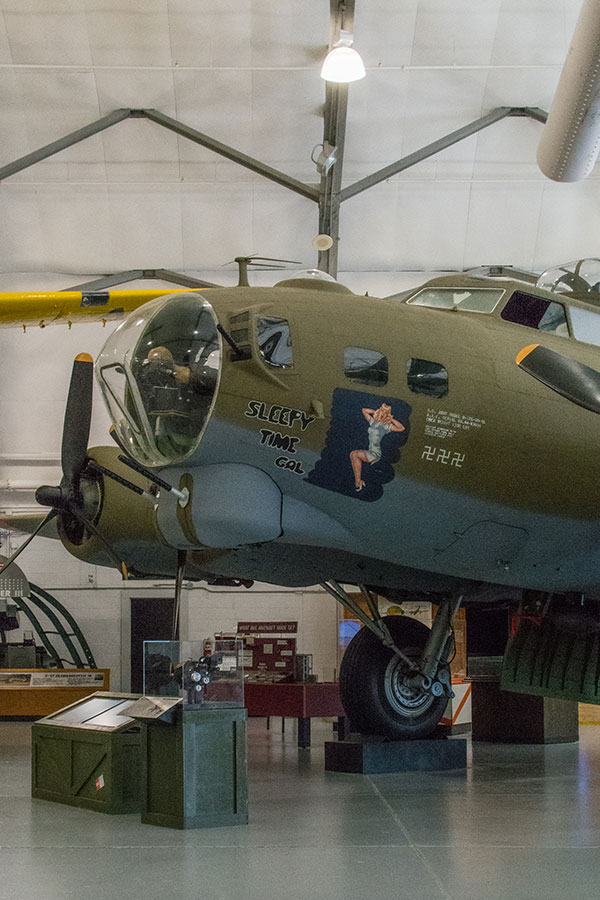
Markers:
point(194, 772)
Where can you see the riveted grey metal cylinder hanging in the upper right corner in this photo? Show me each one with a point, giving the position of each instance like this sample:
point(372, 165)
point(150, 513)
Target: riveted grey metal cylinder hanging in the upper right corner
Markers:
point(570, 140)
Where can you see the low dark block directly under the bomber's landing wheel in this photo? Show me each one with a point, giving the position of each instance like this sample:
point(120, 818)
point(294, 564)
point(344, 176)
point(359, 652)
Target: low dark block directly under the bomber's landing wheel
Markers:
point(372, 755)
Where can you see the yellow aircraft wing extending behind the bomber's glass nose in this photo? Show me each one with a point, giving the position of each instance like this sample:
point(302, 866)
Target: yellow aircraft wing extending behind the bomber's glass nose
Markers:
point(65, 307)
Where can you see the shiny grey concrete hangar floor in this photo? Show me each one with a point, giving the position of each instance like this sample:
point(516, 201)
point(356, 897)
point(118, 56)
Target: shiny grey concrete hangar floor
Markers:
point(521, 822)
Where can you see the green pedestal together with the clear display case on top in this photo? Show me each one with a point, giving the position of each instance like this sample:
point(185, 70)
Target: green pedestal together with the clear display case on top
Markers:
point(193, 743)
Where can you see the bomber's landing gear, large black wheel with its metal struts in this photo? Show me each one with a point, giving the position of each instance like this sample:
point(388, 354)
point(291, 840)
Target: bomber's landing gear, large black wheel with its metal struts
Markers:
point(395, 677)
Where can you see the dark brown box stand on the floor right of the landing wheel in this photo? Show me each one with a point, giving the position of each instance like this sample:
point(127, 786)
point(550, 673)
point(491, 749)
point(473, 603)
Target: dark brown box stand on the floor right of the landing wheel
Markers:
point(511, 718)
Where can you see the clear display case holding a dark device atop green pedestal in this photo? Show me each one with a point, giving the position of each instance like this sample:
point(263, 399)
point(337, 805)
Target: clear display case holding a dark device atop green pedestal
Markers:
point(204, 674)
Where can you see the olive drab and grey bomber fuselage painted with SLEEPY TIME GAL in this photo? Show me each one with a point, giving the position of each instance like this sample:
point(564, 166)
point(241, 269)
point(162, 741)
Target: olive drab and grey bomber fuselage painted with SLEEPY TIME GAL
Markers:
point(359, 439)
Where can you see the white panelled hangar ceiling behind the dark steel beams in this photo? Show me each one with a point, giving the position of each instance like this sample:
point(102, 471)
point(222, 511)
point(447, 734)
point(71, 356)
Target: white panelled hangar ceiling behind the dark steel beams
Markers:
point(246, 73)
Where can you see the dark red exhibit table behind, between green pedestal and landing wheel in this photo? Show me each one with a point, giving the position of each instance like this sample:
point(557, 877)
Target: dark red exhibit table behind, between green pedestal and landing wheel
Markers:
point(303, 701)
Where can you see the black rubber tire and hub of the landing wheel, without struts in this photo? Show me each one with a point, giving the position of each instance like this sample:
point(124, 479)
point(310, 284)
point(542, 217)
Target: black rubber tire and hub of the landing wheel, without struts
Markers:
point(370, 684)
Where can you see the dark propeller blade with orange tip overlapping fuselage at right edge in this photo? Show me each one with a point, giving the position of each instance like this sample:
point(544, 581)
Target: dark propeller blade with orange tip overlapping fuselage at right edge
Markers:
point(571, 379)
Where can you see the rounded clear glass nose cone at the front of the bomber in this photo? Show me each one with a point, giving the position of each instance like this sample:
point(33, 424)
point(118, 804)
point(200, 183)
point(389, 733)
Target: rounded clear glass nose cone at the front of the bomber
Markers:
point(159, 374)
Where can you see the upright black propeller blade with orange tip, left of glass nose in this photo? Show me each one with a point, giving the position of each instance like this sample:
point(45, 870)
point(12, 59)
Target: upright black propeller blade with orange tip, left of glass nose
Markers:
point(78, 416)
